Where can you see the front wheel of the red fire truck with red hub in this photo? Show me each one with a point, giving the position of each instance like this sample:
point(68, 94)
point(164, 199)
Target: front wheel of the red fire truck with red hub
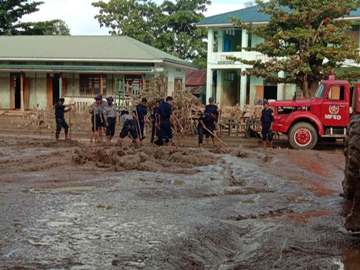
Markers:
point(303, 135)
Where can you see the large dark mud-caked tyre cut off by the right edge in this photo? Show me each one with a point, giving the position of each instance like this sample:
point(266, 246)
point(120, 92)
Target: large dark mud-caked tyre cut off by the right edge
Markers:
point(352, 173)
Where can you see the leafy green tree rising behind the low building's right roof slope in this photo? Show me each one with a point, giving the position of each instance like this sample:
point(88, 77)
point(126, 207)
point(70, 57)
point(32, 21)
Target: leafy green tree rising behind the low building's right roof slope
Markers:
point(170, 27)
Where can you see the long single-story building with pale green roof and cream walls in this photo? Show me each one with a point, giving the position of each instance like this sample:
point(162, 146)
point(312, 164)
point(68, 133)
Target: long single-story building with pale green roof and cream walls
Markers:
point(35, 71)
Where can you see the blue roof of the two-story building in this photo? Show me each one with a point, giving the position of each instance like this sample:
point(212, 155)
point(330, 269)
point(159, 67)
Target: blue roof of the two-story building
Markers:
point(250, 14)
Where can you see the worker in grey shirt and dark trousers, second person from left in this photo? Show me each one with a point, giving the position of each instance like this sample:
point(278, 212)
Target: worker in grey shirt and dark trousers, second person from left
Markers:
point(98, 121)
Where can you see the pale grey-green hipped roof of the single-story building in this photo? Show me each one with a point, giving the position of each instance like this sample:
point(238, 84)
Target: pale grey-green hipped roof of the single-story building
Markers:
point(82, 48)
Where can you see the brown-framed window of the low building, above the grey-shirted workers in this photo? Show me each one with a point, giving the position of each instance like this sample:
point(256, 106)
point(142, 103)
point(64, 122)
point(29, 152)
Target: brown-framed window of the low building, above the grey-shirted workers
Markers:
point(90, 84)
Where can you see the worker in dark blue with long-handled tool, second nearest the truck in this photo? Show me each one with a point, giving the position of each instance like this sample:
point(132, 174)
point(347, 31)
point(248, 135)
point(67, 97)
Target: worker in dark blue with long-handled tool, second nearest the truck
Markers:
point(207, 127)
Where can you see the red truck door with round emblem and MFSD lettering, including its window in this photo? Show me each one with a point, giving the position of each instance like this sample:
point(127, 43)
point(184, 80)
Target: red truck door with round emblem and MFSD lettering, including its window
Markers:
point(335, 109)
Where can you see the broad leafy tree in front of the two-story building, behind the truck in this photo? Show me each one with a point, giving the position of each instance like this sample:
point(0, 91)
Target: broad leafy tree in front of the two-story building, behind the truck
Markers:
point(304, 38)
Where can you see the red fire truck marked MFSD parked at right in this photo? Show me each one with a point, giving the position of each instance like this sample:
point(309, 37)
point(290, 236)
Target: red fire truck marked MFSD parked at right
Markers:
point(322, 117)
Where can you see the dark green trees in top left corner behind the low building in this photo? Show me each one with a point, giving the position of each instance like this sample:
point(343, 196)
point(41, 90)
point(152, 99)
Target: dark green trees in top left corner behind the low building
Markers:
point(11, 11)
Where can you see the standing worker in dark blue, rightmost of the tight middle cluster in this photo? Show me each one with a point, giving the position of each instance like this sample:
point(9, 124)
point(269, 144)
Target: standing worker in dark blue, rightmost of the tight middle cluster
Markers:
point(165, 121)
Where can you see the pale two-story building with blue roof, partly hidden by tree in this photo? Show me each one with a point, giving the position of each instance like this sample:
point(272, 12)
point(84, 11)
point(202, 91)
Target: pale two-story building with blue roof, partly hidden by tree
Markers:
point(224, 79)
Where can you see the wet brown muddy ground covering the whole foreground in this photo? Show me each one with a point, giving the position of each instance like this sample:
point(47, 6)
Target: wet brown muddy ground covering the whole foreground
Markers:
point(72, 205)
